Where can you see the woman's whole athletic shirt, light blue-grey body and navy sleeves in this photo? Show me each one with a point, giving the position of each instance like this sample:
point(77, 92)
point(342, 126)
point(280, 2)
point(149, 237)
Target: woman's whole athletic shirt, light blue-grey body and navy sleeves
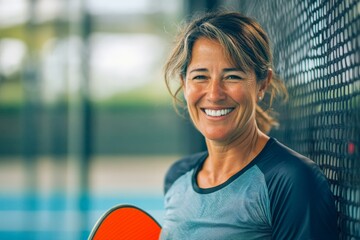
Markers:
point(279, 195)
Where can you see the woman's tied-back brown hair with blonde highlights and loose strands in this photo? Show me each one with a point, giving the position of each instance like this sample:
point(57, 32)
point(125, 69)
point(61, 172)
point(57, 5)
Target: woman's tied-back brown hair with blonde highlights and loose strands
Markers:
point(246, 44)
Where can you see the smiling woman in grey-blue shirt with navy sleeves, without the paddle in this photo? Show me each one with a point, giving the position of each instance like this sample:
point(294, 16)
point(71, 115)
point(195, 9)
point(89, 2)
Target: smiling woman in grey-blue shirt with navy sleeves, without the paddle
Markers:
point(246, 185)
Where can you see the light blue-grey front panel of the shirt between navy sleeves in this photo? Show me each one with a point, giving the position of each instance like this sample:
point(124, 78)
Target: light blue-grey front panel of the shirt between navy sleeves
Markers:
point(239, 210)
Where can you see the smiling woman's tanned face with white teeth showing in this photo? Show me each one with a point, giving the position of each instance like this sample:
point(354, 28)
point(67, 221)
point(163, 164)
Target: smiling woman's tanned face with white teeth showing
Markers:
point(221, 98)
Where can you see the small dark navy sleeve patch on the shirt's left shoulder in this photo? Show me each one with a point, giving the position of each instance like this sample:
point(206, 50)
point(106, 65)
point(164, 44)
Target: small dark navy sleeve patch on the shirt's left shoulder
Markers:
point(182, 166)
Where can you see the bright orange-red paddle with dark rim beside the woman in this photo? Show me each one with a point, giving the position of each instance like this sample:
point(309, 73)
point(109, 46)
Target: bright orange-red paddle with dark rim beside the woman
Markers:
point(125, 222)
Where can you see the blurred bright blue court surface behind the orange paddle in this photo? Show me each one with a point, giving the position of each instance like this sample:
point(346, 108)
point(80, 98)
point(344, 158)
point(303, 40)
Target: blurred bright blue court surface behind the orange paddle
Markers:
point(33, 217)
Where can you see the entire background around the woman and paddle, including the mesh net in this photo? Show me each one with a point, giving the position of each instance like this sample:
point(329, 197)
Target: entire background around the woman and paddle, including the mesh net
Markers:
point(86, 121)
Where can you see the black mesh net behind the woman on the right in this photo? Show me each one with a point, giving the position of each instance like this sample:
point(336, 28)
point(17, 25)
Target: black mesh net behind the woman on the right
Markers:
point(316, 52)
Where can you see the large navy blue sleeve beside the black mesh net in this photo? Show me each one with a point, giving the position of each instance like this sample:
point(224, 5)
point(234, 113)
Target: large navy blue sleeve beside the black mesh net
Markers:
point(302, 205)
